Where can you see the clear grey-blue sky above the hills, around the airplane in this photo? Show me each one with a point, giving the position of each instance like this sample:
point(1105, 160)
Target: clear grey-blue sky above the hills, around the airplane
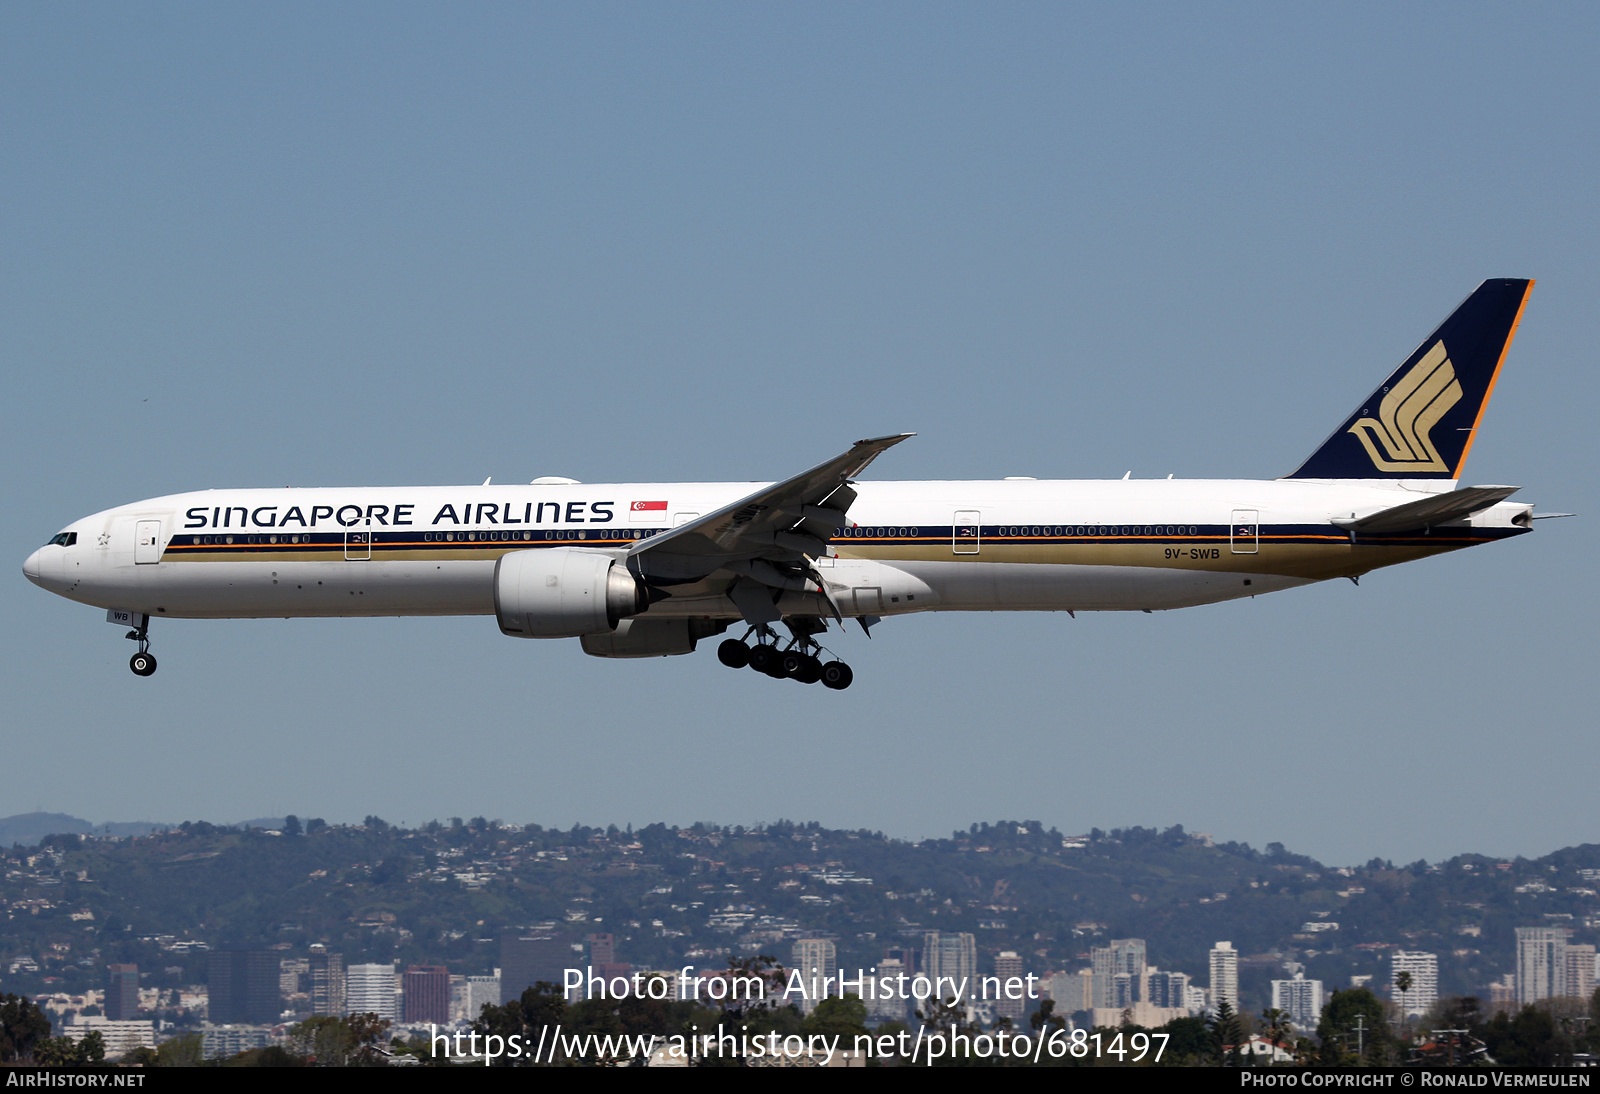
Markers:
point(415, 244)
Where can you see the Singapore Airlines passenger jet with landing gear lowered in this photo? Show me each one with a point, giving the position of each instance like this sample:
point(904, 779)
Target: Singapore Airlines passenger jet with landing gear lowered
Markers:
point(644, 570)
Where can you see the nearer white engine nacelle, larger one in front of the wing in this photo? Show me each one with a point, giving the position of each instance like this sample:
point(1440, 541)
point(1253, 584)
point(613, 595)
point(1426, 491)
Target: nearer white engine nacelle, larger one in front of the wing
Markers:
point(564, 593)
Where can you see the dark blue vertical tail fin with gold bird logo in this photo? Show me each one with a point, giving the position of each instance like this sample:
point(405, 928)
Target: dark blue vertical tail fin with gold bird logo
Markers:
point(1422, 423)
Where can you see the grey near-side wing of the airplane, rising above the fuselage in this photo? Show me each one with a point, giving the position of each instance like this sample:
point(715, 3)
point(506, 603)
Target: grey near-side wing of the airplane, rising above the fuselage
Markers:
point(786, 524)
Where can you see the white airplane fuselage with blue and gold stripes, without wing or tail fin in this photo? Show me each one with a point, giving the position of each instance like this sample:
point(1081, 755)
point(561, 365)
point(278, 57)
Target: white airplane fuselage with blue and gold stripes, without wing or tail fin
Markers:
point(911, 546)
